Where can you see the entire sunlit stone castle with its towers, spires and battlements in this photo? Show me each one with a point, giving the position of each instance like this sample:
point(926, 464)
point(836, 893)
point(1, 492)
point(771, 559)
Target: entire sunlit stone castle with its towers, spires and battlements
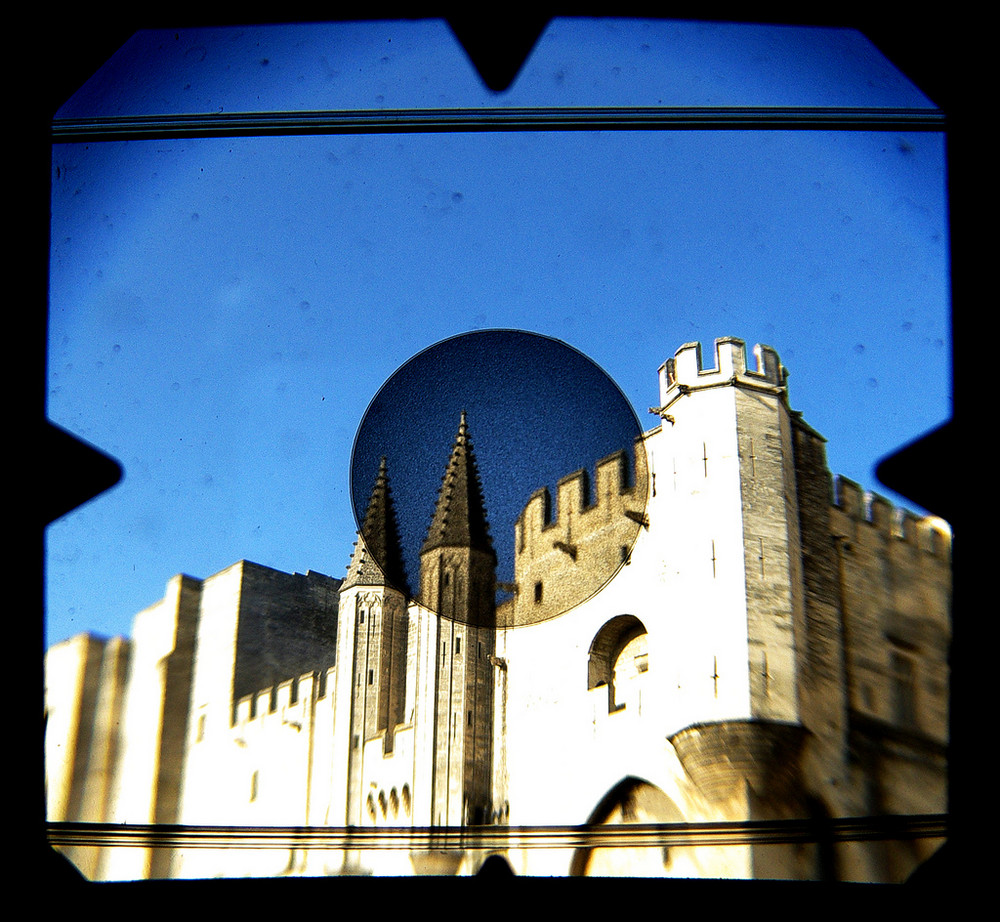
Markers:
point(772, 645)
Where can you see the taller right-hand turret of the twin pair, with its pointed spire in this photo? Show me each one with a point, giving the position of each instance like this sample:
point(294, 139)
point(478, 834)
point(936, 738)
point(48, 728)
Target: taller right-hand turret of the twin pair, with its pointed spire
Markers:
point(458, 582)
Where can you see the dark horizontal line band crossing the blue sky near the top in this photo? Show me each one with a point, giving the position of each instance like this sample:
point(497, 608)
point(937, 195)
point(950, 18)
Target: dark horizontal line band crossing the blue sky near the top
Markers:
point(387, 121)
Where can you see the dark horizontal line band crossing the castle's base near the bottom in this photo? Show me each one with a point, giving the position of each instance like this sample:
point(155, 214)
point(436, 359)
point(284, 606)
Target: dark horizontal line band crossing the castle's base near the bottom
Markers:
point(762, 832)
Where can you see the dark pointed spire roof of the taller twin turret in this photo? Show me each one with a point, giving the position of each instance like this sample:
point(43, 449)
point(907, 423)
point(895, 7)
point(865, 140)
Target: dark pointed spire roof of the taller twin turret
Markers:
point(460, 515)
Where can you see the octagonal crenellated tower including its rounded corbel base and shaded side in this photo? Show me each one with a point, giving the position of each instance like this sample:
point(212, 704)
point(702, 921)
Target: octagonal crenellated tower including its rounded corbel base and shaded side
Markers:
point(748, 477)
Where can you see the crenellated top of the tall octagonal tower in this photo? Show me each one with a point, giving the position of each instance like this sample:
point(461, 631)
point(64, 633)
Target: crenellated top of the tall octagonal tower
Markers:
point(686, 371)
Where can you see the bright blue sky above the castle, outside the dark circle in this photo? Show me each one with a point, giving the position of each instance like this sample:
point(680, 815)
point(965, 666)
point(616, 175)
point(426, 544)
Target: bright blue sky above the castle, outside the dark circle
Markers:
point(222, 312)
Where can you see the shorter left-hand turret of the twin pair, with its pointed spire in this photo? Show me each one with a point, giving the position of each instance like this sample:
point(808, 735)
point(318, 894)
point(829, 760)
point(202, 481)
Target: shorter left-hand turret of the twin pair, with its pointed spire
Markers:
point(373, 625)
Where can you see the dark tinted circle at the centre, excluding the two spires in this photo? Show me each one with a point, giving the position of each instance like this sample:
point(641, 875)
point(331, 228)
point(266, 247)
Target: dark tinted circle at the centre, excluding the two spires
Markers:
point(535, 411)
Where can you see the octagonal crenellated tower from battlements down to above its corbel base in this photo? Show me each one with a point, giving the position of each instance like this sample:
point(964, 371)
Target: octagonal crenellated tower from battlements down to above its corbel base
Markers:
point(726, 462)
